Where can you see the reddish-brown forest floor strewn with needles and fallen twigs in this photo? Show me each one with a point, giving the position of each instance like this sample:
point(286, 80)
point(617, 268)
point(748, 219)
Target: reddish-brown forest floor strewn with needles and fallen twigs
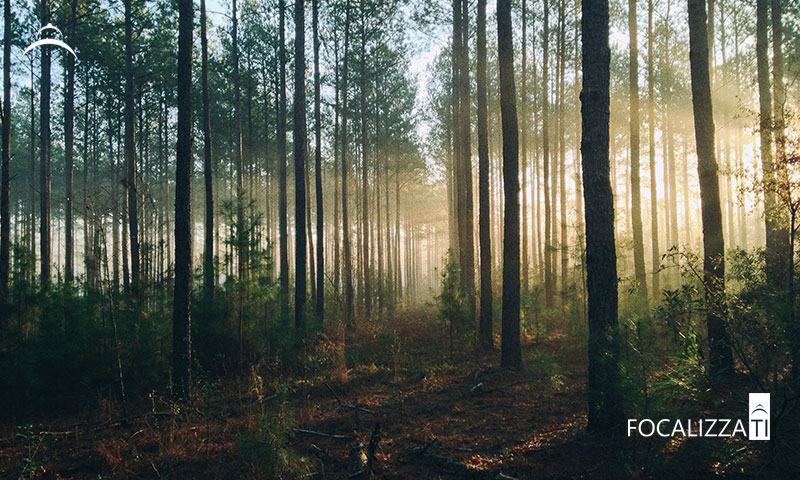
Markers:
point(439, 418)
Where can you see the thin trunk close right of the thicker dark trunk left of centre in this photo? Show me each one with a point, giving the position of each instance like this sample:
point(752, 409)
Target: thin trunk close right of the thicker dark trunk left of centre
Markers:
point(320, 303)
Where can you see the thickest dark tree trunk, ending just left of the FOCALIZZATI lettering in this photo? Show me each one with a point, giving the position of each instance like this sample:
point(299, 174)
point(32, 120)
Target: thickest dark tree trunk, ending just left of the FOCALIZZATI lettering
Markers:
point(604, 396)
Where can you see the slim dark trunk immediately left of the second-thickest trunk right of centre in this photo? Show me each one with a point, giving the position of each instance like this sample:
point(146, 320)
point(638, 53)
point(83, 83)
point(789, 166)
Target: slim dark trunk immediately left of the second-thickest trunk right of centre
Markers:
point(485, 337)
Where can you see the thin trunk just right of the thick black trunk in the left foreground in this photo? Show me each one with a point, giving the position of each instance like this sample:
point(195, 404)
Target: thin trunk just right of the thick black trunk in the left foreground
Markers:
point(209, 276)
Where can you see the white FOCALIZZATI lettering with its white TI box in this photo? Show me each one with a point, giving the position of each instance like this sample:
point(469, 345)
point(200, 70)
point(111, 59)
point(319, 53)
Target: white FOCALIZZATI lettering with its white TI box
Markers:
point(759, 427)
